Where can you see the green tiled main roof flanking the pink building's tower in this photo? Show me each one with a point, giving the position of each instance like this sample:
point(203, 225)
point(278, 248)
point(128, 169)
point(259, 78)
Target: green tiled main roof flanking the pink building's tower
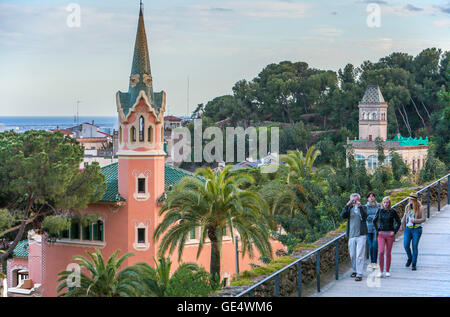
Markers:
point(172, 176)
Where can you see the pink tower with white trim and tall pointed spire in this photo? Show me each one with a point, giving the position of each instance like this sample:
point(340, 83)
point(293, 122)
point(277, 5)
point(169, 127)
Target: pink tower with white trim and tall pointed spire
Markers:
point(141, 149)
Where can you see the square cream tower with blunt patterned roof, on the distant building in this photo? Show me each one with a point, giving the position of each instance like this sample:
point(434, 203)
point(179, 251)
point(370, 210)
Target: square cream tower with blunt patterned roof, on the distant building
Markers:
point(372, 115)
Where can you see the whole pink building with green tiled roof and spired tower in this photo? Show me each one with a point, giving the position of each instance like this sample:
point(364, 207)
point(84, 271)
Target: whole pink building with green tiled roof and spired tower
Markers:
point(135, 187)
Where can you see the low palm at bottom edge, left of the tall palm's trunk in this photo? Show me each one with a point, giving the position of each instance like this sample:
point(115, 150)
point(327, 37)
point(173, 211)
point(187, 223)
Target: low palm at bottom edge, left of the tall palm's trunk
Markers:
point(158, 281)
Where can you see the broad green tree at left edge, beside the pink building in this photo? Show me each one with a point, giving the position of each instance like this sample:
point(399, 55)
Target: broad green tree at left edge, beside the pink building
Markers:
point(40, 176)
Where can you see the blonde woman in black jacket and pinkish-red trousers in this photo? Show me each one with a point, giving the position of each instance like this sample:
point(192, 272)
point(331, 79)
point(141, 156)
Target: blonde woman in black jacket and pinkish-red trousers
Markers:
point(387, 223)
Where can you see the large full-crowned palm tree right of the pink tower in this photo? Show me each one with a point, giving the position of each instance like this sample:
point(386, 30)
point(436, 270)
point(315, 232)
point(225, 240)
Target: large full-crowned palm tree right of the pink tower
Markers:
point(214, 204)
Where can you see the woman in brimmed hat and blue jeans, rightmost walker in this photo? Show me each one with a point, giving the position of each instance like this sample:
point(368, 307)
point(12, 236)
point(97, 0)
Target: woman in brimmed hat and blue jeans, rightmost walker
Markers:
point(412, 219)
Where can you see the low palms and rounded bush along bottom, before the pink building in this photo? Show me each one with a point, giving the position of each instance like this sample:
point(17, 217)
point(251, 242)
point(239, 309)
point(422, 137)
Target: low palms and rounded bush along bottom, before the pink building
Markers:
point(106, 279)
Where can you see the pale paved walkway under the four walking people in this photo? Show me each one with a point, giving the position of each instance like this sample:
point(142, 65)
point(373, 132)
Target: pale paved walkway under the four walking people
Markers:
point(432, 277)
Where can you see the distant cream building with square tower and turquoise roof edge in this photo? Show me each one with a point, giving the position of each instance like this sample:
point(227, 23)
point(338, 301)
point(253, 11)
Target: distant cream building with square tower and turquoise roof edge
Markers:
point(373, 124)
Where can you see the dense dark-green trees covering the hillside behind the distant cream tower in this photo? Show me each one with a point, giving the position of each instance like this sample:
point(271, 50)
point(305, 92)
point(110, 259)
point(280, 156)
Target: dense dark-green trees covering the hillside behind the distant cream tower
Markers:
point(416, 88)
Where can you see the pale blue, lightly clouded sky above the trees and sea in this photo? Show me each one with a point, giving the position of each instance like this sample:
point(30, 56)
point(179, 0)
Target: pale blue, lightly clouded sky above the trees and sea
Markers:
point(46, 66)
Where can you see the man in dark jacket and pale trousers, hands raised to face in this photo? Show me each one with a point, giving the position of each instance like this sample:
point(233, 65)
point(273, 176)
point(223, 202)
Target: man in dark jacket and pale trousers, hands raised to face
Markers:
point(356, 215)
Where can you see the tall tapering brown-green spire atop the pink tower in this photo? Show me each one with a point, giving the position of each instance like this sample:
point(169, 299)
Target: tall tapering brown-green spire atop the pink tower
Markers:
point(141, 76)
